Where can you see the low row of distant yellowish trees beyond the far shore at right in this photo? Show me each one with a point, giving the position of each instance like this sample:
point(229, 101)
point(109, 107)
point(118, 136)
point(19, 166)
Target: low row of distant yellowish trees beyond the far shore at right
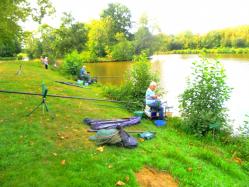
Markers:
point(236, 37)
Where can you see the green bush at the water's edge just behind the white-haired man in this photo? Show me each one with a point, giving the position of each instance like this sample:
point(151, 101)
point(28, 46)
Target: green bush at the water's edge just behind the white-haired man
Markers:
point(138, 78)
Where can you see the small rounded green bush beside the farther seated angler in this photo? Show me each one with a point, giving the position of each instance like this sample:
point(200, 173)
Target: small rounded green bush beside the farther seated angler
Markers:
point(72, 63)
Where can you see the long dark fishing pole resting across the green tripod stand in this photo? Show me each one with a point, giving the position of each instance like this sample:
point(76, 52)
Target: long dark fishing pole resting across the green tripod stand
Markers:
point(63, 96)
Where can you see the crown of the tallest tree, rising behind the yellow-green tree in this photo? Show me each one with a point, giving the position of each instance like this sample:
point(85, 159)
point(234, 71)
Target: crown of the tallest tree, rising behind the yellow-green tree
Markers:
point(120, 17)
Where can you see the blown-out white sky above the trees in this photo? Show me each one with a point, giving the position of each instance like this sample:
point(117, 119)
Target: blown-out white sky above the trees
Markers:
point(172, 16)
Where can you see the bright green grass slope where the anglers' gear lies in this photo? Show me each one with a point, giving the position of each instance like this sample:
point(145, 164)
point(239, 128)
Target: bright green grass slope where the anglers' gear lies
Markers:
point(31, 148)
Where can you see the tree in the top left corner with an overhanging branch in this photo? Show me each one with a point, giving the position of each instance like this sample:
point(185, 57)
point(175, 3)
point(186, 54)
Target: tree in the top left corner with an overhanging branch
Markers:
point(12, 13)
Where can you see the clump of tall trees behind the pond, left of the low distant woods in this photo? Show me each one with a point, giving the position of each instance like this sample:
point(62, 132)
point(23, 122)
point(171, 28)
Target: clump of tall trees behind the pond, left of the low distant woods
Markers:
point(108, 37)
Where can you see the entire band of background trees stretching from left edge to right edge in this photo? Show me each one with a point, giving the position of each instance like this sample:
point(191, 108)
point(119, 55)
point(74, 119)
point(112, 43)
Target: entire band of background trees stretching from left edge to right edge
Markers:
point(112, 36)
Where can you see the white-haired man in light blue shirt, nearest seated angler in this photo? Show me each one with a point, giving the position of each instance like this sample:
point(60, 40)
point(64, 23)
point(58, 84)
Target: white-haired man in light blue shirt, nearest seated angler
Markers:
point(152, 99)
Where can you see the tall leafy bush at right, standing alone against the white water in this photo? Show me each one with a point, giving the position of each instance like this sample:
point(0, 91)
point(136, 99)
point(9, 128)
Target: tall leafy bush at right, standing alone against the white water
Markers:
point(202, 103)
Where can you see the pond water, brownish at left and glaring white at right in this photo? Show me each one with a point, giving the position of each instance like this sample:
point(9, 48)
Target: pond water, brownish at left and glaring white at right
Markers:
point(174, 70)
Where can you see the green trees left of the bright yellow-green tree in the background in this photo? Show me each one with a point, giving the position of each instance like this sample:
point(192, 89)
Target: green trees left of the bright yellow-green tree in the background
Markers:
point(56, 42)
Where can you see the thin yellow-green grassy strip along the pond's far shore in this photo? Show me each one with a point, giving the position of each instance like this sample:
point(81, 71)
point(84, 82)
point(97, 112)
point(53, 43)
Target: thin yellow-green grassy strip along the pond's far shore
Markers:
point(211, 51)
